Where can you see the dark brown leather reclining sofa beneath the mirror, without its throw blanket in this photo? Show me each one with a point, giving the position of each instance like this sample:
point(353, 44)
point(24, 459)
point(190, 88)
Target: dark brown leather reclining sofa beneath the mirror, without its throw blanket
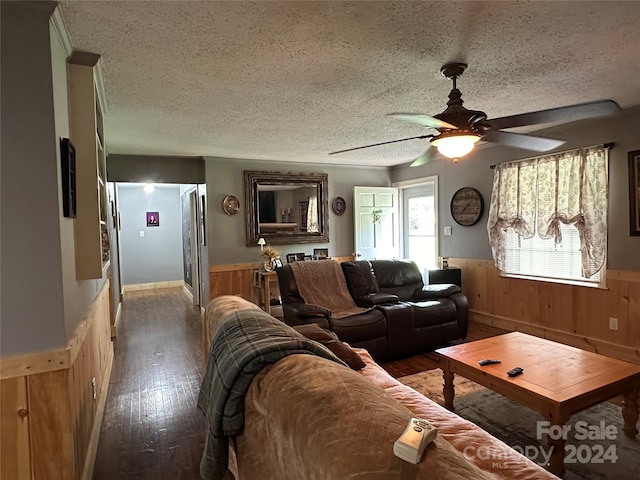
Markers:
point(407, 317)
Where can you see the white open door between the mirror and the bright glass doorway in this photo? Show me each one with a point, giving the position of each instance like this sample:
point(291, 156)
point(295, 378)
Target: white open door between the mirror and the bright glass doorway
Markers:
point(376, 217)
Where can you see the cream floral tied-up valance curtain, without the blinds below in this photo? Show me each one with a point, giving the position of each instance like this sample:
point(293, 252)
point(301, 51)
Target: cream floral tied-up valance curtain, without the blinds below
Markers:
point(535, 195)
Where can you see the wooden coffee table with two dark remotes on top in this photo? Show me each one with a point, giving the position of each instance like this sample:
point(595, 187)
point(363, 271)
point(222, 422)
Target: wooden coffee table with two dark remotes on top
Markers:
point(558, 380)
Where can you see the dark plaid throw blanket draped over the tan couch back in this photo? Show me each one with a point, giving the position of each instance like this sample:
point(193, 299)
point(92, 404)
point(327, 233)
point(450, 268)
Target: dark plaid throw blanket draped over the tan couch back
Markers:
point(245, 342)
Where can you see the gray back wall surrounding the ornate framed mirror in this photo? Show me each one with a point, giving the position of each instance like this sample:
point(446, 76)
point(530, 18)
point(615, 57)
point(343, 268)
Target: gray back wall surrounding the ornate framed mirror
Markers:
point(226, 234)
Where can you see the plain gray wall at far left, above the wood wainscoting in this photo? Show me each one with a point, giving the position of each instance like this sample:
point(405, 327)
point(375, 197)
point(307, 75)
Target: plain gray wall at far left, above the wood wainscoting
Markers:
point(41, 301)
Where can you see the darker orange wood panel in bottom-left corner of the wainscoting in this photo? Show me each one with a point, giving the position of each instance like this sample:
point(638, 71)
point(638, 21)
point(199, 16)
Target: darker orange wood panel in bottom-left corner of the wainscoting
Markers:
point(14, 455)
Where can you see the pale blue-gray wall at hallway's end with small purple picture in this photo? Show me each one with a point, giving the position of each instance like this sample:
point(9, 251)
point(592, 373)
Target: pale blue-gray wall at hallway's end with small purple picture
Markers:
point(156, 257)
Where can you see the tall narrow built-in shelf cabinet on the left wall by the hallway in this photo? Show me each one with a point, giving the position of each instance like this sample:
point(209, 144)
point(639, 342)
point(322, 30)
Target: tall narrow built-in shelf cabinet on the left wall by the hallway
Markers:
point(86, 131)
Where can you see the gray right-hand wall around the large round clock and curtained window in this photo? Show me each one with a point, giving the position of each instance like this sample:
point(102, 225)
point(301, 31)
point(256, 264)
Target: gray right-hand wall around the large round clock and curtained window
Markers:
point(472, 242)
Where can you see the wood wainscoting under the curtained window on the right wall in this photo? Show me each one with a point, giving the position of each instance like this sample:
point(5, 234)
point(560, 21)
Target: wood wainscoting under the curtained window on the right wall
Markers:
point(570, 314)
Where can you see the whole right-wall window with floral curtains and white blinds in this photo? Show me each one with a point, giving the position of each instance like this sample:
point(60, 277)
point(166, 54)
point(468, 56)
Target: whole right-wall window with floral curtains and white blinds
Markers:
point(548, 217)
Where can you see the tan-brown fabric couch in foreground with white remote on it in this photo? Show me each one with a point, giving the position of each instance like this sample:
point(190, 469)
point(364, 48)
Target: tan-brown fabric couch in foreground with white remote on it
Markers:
point(311, 418)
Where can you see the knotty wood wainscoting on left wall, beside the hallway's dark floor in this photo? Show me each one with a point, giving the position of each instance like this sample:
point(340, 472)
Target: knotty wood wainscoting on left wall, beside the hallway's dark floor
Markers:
point(50, 417)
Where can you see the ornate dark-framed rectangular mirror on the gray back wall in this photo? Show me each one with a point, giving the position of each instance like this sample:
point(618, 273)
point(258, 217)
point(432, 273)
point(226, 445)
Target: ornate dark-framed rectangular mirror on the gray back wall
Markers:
point(286, 207)
